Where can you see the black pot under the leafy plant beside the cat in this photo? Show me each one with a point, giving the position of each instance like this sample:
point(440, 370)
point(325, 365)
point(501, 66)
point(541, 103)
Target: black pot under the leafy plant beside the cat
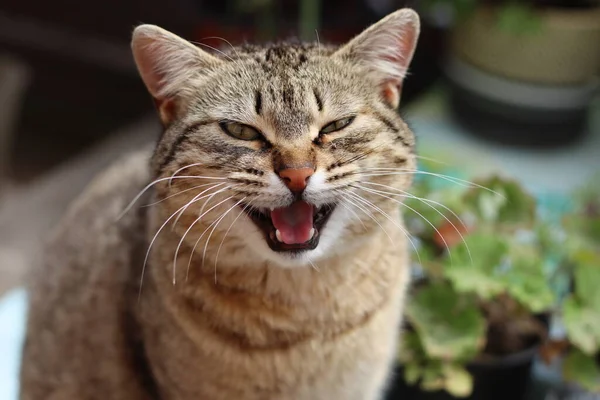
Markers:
point(505, 378)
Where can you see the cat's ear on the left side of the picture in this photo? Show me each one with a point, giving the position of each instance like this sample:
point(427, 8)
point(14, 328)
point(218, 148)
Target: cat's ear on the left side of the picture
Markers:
point(166, 63)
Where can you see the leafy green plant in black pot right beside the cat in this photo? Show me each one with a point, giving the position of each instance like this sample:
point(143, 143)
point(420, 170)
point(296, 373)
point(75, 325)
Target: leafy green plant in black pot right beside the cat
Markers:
point(475, 316)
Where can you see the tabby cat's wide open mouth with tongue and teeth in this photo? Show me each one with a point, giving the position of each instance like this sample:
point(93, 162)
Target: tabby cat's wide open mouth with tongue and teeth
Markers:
point(293, 228)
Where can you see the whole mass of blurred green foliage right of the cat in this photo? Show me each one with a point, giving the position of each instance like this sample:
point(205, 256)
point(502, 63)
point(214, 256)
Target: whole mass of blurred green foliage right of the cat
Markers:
point(489, 265)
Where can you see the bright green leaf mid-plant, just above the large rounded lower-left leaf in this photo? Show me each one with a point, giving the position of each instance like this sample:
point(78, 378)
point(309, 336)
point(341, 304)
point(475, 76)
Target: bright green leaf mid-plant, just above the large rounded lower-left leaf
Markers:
point(478, 276)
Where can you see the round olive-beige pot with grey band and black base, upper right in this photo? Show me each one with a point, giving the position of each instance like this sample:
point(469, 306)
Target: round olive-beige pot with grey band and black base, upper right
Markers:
point(523, 71)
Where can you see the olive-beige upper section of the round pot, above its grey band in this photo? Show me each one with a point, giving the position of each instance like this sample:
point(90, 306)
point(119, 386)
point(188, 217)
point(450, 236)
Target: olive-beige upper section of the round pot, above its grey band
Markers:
point(564, 51)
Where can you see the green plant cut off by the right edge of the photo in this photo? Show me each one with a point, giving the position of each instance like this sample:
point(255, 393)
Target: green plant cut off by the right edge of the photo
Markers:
point(579, 345)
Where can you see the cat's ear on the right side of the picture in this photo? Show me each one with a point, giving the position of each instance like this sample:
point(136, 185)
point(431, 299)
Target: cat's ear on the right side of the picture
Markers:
point(386, 49)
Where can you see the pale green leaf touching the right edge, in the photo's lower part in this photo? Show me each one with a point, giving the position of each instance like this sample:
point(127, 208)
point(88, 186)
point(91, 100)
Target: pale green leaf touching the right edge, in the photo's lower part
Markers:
point(582, 323)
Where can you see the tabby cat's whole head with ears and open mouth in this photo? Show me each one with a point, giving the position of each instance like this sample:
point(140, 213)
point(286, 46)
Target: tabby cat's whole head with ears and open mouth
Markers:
point(283, 152)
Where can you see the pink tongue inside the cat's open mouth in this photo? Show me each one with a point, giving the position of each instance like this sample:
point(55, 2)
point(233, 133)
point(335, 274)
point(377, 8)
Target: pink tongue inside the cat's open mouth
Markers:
point(294, 222)
